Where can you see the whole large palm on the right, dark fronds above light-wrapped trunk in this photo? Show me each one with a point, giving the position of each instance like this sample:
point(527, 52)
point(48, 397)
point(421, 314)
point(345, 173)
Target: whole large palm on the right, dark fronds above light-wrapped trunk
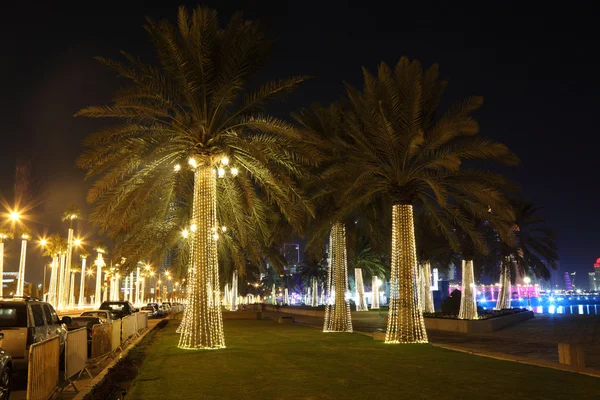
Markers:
point(407, 154)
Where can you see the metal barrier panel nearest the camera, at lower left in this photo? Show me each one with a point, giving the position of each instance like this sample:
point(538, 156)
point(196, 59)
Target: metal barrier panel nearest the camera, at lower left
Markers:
point(42, 366)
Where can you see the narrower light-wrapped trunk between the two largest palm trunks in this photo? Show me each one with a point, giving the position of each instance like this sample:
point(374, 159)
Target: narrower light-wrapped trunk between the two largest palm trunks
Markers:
point(337, 309)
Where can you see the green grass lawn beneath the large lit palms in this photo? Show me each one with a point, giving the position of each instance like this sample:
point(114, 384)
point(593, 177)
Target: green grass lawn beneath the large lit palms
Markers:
point(267, 360)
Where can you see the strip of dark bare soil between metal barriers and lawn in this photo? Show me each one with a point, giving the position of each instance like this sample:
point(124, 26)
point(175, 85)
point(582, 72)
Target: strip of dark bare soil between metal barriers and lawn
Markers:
point(119, 378)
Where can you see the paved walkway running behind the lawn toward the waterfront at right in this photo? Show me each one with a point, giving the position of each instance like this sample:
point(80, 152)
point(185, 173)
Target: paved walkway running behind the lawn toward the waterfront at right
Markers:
point(536, 338)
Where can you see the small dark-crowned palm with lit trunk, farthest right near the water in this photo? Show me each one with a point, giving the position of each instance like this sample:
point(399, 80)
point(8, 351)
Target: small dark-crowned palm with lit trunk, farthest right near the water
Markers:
point(534, 252)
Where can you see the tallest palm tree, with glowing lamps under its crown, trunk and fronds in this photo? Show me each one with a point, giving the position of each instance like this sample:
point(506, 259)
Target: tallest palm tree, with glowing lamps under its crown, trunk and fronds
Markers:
point(195, 109)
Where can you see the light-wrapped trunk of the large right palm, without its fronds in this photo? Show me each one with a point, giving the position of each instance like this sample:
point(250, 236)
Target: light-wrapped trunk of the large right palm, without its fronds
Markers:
point(405, 319)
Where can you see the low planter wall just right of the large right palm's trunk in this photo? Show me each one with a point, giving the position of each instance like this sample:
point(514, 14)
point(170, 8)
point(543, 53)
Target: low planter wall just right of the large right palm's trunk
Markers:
point(476, 326)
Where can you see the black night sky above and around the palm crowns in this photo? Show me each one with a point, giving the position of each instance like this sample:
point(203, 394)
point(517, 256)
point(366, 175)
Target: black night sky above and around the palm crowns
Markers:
point(535, 66)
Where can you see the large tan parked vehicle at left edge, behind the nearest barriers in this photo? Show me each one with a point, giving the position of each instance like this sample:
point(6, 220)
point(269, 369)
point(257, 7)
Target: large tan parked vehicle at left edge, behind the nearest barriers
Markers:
point(24, 321)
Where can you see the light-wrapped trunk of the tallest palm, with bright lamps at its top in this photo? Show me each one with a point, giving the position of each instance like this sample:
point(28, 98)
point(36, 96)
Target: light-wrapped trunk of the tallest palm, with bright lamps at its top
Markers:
point(202, 324)
